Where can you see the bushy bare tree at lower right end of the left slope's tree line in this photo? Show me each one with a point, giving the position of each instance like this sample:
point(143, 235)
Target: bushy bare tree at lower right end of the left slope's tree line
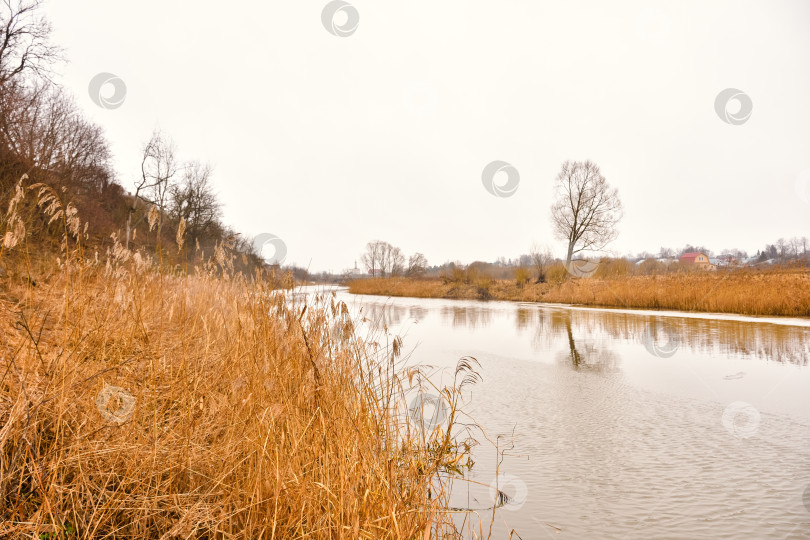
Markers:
point(194, 200)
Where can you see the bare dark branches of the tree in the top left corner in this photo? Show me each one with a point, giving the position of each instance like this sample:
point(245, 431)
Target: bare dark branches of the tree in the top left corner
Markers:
point(24, 41)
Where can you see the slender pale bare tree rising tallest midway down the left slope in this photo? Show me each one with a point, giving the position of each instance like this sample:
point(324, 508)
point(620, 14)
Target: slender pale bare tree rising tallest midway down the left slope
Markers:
point(158, 170)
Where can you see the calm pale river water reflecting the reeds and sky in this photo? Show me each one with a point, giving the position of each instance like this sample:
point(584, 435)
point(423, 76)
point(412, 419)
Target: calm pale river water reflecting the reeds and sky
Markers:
point(621, 424)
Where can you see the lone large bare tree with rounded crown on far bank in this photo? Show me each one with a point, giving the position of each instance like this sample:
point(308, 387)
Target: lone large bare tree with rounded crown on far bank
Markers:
point(587, 210)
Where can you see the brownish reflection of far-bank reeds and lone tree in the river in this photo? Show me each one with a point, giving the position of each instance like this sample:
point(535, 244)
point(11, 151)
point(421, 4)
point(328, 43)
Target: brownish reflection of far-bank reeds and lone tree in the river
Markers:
point(590, 333)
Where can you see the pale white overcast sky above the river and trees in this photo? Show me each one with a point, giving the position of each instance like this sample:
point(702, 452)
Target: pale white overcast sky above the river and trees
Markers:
point(329, 141)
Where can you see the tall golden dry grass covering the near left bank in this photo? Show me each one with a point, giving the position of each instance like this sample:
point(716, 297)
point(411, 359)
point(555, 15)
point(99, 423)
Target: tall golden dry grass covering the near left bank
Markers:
point(137, 402)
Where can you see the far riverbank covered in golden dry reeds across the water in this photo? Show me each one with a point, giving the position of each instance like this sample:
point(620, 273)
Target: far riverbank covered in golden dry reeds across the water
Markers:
point(784, 293)
